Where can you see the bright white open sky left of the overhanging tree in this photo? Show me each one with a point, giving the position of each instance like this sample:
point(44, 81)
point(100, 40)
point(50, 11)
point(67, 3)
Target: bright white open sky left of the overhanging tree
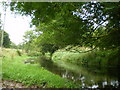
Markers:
point(15, 25)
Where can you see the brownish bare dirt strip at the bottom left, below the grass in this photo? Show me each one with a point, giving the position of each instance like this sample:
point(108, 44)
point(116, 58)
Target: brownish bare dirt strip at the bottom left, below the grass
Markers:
point(13, 84)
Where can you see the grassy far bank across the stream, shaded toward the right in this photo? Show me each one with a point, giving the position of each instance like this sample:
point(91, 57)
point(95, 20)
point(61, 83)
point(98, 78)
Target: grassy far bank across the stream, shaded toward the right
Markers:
point(95, 58)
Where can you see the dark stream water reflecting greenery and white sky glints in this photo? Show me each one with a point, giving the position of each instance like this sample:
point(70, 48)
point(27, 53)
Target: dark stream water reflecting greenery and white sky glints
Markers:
point(87, 77)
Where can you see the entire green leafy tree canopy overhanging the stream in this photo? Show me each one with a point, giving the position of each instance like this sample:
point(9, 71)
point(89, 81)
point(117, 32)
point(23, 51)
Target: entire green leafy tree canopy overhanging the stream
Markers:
point(86, 24)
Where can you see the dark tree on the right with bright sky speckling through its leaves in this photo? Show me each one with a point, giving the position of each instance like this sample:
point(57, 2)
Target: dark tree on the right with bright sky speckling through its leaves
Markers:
point(103, 21)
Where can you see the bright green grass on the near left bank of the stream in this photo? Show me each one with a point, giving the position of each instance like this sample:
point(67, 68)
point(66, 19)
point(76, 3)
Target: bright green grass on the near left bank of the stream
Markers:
point(13, 68)
